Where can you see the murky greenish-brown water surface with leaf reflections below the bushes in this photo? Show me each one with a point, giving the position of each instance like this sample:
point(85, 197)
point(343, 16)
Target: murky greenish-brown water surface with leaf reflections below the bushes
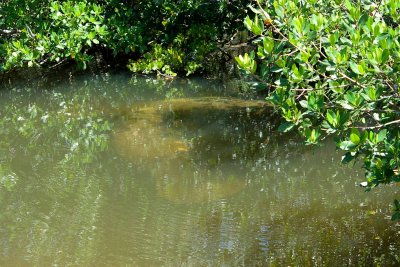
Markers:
point(110, 170)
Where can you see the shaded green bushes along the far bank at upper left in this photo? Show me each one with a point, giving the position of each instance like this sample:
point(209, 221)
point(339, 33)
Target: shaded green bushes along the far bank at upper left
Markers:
point(163, 36)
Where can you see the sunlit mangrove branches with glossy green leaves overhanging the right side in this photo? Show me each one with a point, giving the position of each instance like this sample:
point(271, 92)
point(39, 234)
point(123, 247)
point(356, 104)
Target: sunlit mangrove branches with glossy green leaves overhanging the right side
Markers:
point(331, 67)
